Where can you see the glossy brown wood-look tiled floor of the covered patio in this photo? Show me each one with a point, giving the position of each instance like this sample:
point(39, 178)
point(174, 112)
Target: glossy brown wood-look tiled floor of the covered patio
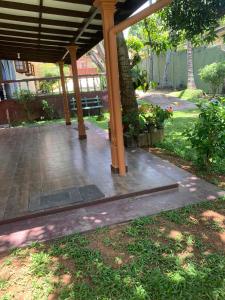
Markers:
point(47, 167)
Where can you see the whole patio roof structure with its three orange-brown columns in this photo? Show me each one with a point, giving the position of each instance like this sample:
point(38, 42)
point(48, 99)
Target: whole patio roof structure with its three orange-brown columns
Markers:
point(61, 31)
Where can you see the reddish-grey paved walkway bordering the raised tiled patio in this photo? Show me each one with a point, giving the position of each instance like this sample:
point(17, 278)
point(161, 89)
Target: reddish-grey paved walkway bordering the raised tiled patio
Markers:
point(191, 190)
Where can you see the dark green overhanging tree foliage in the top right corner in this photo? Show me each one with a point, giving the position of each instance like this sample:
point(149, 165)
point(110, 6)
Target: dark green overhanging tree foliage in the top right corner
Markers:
point(194, 18)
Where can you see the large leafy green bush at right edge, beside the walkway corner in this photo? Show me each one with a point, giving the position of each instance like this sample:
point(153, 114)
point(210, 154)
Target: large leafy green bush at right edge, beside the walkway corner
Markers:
point(207, 136)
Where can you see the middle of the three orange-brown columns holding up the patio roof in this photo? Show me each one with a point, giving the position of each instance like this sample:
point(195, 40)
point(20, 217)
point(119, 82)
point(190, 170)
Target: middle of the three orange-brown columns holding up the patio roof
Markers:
point(73, 56)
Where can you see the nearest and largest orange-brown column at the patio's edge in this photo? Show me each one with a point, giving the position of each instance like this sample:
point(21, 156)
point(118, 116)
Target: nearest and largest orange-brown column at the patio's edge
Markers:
point(108, 8)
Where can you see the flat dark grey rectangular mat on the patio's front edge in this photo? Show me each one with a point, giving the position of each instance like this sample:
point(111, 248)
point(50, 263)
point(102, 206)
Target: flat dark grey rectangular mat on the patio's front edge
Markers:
point(65, 197)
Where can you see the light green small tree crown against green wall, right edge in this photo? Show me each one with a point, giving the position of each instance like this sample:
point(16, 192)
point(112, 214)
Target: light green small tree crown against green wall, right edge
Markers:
point(213, 74)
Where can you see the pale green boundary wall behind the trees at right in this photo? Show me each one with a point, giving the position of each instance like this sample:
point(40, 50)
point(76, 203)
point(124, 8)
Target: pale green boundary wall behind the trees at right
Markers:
point(177, 69)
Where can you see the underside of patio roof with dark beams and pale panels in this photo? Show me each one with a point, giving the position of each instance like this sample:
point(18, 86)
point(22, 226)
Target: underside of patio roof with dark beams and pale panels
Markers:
point(40, 29)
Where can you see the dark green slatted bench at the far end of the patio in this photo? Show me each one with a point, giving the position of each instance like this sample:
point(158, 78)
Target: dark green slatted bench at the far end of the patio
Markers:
point(91, 106)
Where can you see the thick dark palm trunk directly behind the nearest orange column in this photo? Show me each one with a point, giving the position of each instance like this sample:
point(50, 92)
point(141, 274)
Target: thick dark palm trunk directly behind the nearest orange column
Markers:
point(128, 98)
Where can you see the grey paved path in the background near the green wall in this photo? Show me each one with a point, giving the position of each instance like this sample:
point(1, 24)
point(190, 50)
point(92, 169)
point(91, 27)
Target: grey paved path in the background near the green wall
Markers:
point(165, 100)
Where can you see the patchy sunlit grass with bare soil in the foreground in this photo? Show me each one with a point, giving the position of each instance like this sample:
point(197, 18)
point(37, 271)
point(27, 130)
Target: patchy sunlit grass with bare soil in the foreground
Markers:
point(174, 255)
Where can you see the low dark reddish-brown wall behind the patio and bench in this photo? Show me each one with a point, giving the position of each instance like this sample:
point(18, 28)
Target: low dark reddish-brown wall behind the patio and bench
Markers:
point(17, 114)
